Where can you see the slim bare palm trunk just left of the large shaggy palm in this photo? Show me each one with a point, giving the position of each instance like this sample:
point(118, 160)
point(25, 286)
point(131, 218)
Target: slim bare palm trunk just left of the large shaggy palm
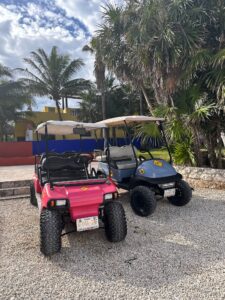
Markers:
point(99, 70)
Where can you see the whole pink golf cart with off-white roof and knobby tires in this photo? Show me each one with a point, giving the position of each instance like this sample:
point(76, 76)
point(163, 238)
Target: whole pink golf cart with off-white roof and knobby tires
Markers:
point(66, 190)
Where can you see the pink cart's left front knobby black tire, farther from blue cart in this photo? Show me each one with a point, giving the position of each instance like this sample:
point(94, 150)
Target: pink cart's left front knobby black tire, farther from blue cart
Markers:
point(50, 232)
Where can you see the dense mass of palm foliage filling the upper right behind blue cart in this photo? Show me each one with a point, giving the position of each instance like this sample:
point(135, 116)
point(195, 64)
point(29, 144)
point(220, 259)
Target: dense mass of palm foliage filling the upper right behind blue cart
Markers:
point(173, 52)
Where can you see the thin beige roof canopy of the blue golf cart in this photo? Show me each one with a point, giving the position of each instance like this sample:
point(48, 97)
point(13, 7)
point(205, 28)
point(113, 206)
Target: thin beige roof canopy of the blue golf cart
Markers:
point(129, 119)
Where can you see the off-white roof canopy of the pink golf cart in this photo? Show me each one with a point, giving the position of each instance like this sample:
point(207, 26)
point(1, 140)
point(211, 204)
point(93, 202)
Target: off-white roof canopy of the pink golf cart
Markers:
point(66, 127)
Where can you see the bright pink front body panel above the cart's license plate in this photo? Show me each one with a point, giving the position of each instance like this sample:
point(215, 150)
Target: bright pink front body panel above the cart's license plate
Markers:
point(84, 199)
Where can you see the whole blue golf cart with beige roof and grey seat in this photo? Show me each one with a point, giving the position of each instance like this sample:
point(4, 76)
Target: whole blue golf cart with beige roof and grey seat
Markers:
point(146, 179)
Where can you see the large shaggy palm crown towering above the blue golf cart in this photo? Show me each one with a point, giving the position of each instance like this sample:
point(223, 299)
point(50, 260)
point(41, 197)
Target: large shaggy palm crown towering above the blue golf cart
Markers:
point(149, 43)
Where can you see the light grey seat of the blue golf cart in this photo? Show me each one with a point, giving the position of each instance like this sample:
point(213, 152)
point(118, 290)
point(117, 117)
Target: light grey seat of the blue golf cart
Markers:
point(122, 157)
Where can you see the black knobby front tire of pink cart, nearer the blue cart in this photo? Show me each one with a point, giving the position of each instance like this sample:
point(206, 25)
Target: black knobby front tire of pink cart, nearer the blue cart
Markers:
point(115, 221)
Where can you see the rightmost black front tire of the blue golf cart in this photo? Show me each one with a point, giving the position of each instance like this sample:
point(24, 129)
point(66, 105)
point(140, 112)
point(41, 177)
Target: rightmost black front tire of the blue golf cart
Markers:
point(183, 194)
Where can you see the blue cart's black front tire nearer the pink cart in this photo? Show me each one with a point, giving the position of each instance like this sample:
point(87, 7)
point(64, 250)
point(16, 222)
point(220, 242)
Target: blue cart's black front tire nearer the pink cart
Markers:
point(143, 201)
